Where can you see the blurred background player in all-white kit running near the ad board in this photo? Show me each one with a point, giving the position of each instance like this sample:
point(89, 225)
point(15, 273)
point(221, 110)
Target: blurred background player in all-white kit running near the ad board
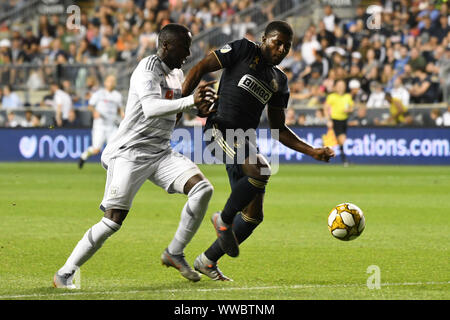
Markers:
point(106, 107)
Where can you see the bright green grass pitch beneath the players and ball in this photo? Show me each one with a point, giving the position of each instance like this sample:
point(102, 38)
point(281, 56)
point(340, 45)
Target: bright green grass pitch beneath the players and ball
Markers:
point(45, 208)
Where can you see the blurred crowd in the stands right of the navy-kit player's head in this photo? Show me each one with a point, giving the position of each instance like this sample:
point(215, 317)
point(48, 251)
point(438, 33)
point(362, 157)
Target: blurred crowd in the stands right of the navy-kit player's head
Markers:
point(407, 55)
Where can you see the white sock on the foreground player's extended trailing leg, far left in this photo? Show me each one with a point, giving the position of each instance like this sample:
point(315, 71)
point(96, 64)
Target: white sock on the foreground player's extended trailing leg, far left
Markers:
point(92, 240)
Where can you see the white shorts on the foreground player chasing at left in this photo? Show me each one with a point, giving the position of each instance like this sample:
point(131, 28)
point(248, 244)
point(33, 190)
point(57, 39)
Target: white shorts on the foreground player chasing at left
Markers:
point(125, 177)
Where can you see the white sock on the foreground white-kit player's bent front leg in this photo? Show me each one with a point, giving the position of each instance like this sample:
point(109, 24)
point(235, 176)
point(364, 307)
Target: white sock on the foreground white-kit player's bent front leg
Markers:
point(191, 216)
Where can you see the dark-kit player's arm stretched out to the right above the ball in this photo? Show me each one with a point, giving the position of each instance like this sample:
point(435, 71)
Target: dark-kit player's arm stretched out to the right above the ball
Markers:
point(291, 140)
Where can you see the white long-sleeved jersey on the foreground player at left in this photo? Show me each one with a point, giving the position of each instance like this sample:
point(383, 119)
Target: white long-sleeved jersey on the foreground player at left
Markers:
point(150, 116)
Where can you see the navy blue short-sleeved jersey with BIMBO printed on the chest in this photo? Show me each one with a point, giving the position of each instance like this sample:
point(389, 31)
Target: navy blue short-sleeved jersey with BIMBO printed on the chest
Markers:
point(246, 86)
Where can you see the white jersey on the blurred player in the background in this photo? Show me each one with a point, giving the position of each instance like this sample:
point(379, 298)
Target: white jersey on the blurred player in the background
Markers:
point(107, 104)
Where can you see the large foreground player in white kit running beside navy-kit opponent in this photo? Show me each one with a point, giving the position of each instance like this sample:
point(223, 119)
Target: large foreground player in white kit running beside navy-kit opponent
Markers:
point(140, 151)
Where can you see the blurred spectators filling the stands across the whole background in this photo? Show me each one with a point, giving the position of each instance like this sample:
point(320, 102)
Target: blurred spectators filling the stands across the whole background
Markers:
point(407, 55)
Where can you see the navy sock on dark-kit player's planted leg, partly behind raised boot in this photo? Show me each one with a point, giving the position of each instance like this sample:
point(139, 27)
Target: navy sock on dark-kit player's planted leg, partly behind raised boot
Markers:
point(243, 227)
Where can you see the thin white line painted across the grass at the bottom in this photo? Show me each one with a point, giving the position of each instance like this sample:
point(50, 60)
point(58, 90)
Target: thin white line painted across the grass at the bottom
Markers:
point(292, 287)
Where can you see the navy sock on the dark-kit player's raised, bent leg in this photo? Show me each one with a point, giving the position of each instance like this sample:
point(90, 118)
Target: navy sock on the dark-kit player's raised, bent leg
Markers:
point(242, 194)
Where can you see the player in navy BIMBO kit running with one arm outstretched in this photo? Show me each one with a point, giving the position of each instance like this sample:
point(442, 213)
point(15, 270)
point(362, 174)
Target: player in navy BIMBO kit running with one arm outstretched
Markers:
point(250, 81)
